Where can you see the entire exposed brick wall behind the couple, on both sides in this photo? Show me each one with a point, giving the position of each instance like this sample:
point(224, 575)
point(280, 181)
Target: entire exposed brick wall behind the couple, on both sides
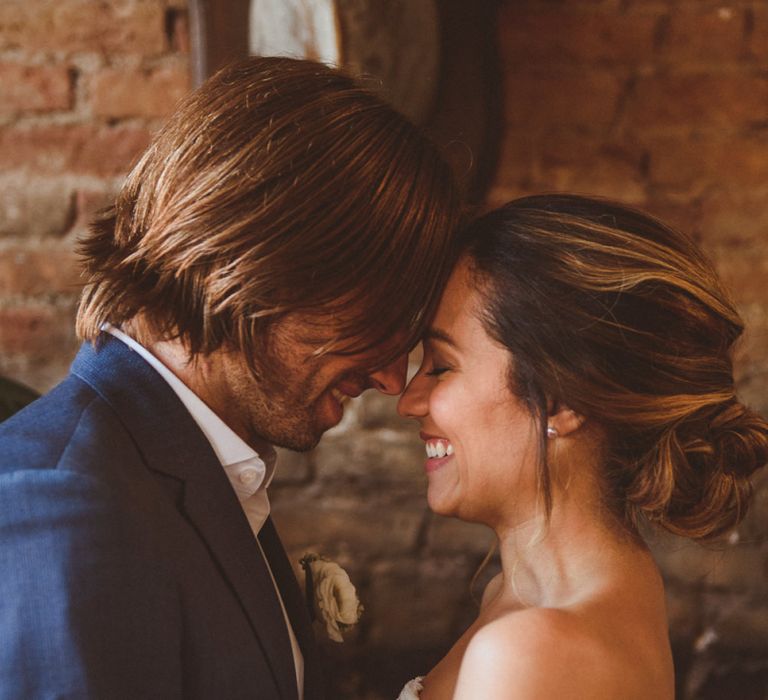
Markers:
point(662, 103)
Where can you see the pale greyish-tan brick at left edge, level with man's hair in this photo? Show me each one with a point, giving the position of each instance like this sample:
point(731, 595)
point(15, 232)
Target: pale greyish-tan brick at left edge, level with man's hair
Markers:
point(34, 207)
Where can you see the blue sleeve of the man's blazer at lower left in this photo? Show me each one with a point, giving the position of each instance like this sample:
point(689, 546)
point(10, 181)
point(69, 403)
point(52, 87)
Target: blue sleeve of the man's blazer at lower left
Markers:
point(80, 594)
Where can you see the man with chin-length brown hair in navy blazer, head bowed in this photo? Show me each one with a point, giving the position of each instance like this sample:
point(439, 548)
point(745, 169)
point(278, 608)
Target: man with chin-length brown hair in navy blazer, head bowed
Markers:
point(277, 249)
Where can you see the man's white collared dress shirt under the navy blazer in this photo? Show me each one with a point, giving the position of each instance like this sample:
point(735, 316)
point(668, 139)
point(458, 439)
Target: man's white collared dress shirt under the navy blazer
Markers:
point(248, 473)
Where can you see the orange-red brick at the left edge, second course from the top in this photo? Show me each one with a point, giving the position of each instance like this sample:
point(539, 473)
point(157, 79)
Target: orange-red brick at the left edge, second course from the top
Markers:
point(34, 88)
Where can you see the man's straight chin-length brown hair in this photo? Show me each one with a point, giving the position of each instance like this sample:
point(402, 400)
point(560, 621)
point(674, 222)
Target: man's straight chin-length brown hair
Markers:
point(280, 185)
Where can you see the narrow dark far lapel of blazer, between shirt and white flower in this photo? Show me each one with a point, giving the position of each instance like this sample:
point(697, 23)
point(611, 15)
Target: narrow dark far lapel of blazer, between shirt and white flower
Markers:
point(296, 607)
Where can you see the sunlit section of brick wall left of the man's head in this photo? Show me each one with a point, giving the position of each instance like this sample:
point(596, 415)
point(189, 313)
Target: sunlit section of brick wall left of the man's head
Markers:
point(82, 86)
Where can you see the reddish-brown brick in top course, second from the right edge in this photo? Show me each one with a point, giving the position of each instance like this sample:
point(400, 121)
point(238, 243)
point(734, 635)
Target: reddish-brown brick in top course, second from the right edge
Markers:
point(704, 33)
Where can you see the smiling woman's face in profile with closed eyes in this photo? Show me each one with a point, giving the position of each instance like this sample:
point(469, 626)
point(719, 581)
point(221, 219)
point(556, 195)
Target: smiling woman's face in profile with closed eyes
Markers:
point(481, 440)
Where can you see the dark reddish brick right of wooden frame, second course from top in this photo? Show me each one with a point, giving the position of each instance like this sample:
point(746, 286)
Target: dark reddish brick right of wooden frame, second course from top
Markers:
point(537, 99)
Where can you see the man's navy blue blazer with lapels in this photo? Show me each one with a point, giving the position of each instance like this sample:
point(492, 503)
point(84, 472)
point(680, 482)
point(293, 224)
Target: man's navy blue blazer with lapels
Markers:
point(127, 566)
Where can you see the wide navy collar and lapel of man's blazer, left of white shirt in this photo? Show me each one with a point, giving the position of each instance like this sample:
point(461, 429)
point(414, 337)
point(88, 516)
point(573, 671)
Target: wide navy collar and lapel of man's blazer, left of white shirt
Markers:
point(172, 443)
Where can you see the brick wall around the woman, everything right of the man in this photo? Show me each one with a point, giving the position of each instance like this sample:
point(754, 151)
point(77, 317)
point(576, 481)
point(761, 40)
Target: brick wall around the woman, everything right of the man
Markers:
point(658, 103)
